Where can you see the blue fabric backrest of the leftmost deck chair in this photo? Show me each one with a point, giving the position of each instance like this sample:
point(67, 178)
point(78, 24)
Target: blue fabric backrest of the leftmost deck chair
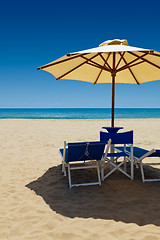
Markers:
point(82, 151)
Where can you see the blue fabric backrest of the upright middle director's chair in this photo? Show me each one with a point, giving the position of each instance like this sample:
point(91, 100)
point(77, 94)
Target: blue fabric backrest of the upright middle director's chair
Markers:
point(117, 138)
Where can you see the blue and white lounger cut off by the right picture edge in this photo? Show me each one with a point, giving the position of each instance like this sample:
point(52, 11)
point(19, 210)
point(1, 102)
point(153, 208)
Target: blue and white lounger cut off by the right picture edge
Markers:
point(139, 154)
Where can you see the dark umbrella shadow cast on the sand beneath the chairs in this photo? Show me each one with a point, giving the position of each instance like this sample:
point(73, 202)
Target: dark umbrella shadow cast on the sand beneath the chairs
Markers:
point(118, 199)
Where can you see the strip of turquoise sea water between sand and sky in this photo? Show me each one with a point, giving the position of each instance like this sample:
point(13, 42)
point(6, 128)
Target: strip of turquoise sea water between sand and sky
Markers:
point(78, 113)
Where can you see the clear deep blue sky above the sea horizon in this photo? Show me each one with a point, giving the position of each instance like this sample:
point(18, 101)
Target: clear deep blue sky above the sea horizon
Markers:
point(34, 33)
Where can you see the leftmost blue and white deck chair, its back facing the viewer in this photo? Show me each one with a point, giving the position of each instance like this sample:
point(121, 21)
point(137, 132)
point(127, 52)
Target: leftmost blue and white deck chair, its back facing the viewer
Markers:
point(81, 155)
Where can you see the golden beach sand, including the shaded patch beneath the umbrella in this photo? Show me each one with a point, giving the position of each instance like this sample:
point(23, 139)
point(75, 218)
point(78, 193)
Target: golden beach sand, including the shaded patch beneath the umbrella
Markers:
point(36, 202)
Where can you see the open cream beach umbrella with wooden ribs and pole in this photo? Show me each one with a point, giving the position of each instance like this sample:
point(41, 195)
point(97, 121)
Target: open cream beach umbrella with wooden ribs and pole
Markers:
point(112, 62)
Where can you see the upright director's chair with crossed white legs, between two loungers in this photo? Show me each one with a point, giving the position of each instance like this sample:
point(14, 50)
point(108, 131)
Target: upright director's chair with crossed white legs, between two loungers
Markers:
point(112, 160)
